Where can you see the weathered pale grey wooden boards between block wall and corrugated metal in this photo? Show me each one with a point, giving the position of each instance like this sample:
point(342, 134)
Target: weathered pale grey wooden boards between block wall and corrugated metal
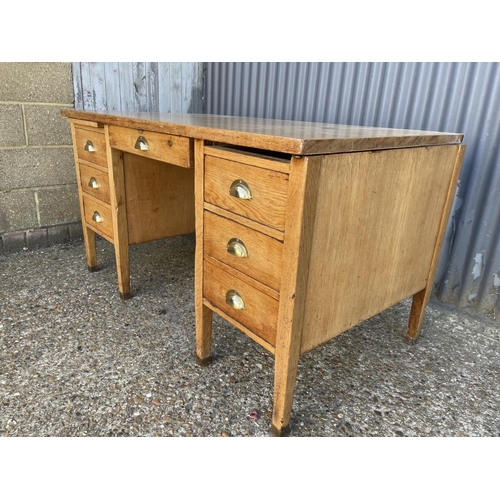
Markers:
point(139, 86)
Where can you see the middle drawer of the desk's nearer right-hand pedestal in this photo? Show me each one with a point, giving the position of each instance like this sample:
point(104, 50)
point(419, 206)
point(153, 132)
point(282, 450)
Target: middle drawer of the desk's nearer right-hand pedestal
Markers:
point(253, 253)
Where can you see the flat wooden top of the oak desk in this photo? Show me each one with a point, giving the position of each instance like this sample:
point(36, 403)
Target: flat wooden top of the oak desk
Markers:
point(286, 136)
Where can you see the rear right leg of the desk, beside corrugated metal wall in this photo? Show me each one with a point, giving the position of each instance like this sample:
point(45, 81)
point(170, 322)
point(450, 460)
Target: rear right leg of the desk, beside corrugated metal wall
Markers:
point(421, 298)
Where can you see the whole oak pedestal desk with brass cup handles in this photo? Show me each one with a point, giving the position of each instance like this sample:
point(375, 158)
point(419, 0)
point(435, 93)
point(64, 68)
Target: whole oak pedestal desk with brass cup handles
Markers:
point(303, 230)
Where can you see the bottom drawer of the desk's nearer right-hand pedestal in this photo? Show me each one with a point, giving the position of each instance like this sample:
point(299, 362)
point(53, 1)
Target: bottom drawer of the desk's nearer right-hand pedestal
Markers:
point(260, 312)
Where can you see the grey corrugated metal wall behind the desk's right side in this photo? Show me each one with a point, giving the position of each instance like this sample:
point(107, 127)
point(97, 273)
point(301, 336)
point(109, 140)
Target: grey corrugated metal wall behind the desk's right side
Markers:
point(455, 97)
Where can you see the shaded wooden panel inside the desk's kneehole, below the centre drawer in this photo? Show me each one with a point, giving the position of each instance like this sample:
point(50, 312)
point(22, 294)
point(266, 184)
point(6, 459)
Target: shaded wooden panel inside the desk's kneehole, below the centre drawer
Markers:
point(159, 198)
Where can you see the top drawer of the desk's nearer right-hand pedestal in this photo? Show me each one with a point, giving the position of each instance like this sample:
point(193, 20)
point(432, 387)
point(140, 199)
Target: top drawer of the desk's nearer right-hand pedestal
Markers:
point(256, 193)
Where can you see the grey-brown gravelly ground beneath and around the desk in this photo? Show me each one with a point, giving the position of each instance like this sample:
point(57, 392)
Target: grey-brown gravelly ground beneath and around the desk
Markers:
point(76, 360)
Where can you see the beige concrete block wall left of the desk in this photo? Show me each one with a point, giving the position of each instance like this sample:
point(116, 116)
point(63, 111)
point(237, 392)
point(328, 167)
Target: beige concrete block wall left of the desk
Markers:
point(38, 191)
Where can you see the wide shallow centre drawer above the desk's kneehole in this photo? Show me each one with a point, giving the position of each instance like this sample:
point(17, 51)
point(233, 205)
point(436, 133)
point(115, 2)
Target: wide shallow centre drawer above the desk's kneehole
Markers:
point(163, 147)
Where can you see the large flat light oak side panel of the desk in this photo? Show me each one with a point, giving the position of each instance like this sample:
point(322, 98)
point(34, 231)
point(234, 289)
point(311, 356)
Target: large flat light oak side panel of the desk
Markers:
point(376, 226)
